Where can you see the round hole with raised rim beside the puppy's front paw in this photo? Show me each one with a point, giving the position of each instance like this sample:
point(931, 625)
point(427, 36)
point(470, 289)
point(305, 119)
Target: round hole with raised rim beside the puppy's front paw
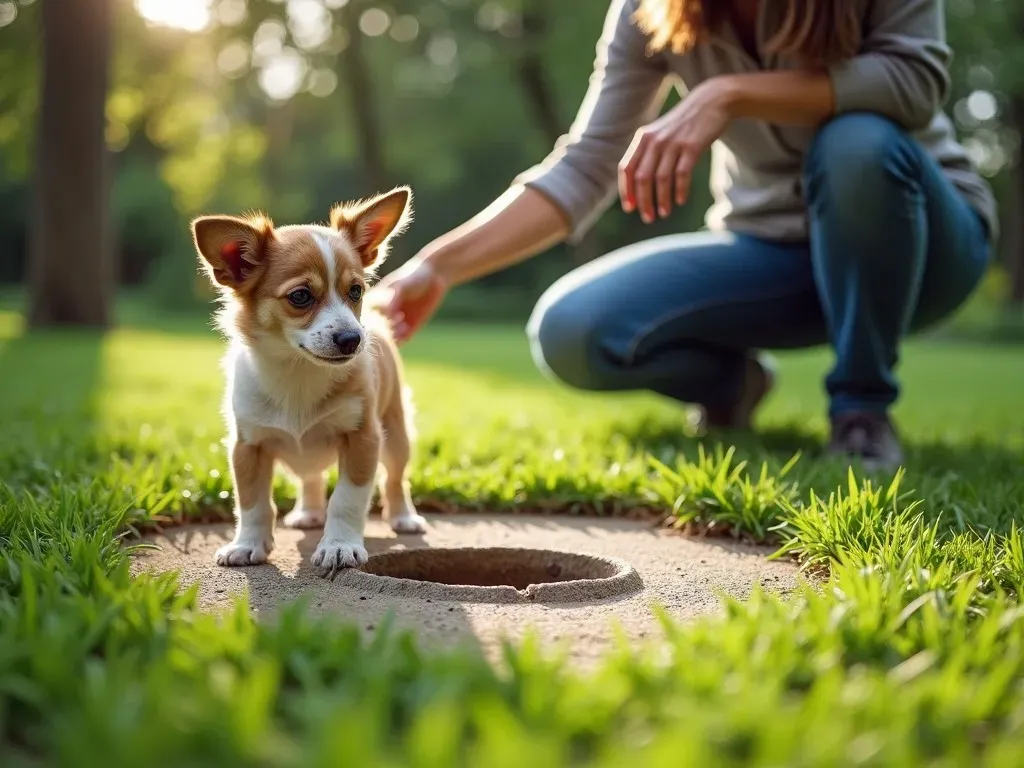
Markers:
point(495, 575)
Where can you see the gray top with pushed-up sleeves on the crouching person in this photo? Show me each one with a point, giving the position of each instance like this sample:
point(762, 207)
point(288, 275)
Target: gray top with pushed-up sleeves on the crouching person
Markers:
point(901, 73)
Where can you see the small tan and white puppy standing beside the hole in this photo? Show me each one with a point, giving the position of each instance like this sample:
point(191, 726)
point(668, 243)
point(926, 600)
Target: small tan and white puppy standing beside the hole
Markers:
point(309, 385)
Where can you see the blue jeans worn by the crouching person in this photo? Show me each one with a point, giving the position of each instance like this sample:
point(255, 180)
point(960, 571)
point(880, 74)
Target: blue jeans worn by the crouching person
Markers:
point(893, 248)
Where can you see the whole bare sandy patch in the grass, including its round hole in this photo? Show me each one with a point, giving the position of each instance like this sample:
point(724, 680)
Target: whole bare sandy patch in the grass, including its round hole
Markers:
point(533, 577)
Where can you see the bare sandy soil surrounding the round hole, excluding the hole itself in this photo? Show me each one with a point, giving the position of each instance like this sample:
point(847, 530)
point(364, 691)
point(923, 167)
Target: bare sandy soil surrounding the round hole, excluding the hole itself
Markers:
point(685, 576)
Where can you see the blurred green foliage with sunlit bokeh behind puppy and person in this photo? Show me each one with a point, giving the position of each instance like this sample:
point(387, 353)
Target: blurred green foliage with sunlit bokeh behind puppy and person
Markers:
point(289, 106)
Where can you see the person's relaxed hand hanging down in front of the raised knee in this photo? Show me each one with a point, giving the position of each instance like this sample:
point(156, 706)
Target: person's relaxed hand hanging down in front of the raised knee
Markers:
point(660, 162)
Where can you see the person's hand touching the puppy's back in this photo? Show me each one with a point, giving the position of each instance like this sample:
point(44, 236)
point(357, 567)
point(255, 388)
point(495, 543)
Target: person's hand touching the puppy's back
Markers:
point(409, 296)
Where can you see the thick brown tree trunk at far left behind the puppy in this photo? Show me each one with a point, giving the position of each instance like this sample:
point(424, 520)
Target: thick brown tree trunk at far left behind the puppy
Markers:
point(71, 272)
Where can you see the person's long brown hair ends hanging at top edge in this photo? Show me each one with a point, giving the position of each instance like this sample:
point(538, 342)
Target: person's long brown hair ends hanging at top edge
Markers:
point(814, 32)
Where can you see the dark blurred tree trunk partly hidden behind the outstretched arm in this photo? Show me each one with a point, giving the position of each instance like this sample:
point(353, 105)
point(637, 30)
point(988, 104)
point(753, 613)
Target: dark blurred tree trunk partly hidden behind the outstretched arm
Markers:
point(543, 104)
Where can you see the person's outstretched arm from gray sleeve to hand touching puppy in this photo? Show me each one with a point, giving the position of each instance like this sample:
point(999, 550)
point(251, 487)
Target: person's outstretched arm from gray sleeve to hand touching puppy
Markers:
point(559, 200)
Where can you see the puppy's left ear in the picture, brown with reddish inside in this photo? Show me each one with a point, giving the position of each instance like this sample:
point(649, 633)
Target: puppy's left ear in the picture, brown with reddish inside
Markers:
point(233, 249)
